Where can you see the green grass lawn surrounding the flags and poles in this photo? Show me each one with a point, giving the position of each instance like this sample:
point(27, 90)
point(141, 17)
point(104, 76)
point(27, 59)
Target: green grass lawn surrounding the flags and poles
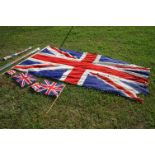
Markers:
point(79, 107)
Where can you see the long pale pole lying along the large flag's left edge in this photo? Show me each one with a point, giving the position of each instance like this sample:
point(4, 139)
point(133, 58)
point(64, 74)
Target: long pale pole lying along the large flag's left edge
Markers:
point(17, 60)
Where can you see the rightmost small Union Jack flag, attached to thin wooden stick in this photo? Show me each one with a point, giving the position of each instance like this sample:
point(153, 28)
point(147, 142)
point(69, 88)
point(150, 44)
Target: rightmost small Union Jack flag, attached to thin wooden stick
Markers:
point(51, 88)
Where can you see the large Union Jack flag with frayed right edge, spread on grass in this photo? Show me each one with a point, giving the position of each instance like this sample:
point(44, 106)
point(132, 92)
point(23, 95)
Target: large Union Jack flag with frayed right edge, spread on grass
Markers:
point(88, 70)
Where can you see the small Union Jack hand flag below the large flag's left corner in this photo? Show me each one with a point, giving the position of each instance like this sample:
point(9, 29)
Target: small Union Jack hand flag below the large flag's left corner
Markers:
point(24, 79)
